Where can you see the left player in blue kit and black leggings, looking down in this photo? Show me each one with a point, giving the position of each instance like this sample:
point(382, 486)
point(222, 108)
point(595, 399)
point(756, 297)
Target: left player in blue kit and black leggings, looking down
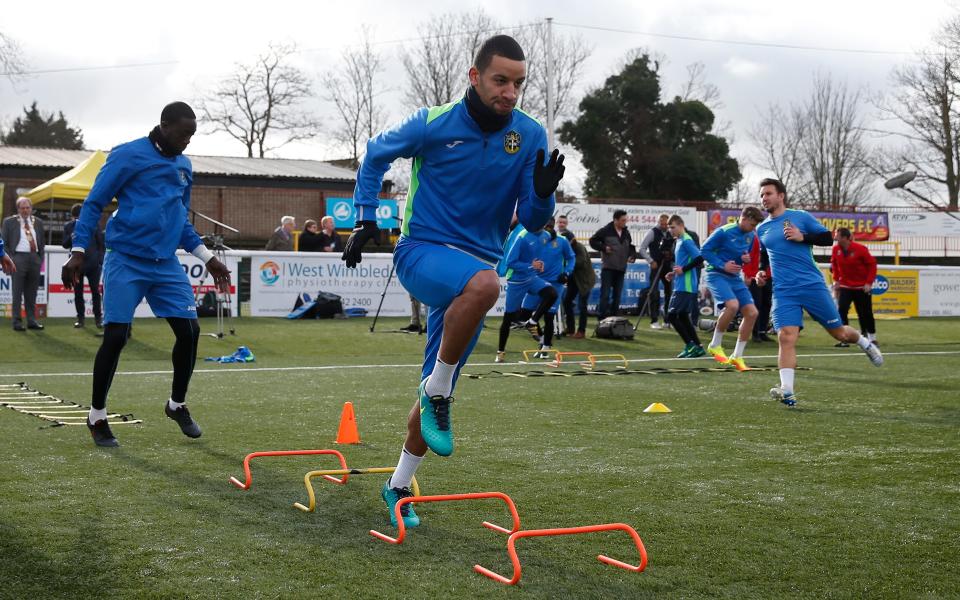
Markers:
point(151, 180)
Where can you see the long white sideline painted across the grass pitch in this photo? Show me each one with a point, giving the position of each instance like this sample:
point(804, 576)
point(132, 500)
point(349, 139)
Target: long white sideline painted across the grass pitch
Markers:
point(418, 365)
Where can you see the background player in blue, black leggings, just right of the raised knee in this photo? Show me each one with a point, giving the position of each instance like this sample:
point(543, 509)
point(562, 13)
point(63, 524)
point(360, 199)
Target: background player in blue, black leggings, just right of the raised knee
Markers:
point(524, 269)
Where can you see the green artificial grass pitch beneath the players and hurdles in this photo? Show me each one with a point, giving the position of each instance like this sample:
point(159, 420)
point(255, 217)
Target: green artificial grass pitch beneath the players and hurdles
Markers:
point(853, 494)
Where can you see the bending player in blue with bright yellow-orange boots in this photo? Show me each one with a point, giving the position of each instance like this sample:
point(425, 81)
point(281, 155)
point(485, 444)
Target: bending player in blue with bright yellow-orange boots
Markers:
point(725, 252)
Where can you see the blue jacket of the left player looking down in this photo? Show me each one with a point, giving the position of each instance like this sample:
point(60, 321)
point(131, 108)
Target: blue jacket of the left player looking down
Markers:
point(153, 196)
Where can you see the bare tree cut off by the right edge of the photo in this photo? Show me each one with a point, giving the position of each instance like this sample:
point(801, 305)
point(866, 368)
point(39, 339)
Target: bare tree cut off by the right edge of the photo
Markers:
point(923, 113)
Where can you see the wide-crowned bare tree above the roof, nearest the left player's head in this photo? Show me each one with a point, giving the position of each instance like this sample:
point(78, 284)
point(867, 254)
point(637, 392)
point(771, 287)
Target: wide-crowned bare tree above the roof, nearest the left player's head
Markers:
point(262, 100)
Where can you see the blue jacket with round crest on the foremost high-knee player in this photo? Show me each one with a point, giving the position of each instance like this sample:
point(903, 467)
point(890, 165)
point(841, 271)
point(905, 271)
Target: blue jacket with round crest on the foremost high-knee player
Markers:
point(465, 184)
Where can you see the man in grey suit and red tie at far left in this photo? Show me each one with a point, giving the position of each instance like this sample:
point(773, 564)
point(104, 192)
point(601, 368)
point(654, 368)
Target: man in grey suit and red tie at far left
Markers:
point(23, 237)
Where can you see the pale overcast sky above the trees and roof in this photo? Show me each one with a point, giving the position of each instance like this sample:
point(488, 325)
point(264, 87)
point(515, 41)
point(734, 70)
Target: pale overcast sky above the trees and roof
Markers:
point(200, 41)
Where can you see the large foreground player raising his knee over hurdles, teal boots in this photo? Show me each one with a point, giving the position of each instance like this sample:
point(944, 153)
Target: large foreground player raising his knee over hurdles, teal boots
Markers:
point(476, 161)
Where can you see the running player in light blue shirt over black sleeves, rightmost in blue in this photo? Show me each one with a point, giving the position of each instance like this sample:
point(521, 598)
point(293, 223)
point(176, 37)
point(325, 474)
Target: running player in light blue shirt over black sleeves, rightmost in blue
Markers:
point(786, 240)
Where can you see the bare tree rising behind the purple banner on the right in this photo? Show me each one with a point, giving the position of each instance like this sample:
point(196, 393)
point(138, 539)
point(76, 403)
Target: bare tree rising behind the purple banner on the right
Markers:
point(817, 148)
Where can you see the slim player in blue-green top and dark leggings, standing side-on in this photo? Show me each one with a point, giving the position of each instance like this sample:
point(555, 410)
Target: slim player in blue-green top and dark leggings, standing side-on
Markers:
point(683, 302)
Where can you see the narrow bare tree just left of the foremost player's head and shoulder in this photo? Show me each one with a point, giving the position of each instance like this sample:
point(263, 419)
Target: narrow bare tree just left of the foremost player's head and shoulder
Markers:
point(353, 91)
